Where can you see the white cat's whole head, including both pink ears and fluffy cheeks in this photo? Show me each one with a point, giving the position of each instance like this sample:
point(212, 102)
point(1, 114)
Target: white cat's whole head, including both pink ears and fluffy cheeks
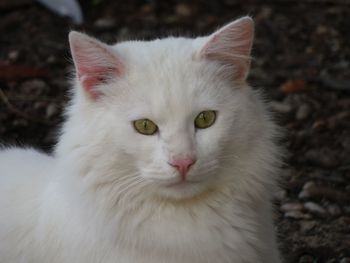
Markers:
point(169, 114)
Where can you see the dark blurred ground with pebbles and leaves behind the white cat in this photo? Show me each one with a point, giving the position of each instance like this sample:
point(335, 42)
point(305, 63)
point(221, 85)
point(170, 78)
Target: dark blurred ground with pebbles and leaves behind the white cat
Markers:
point(301, 61)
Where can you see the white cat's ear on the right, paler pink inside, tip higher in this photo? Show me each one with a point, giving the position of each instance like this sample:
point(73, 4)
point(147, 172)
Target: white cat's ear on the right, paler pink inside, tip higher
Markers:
point(231, 45)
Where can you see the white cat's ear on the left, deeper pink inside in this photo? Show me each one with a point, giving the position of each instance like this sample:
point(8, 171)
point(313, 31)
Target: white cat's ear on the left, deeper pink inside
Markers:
point(95, 62)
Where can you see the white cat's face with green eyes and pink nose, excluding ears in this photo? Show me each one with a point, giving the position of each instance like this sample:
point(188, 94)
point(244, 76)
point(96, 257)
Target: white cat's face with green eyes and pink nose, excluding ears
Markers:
point(170, 101)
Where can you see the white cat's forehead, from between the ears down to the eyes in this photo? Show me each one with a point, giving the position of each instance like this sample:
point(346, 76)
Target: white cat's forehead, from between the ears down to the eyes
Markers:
point(166, 78)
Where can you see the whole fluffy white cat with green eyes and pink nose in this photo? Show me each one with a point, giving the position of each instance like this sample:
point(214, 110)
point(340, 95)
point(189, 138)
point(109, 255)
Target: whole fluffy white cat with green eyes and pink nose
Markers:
point(167, 156)
